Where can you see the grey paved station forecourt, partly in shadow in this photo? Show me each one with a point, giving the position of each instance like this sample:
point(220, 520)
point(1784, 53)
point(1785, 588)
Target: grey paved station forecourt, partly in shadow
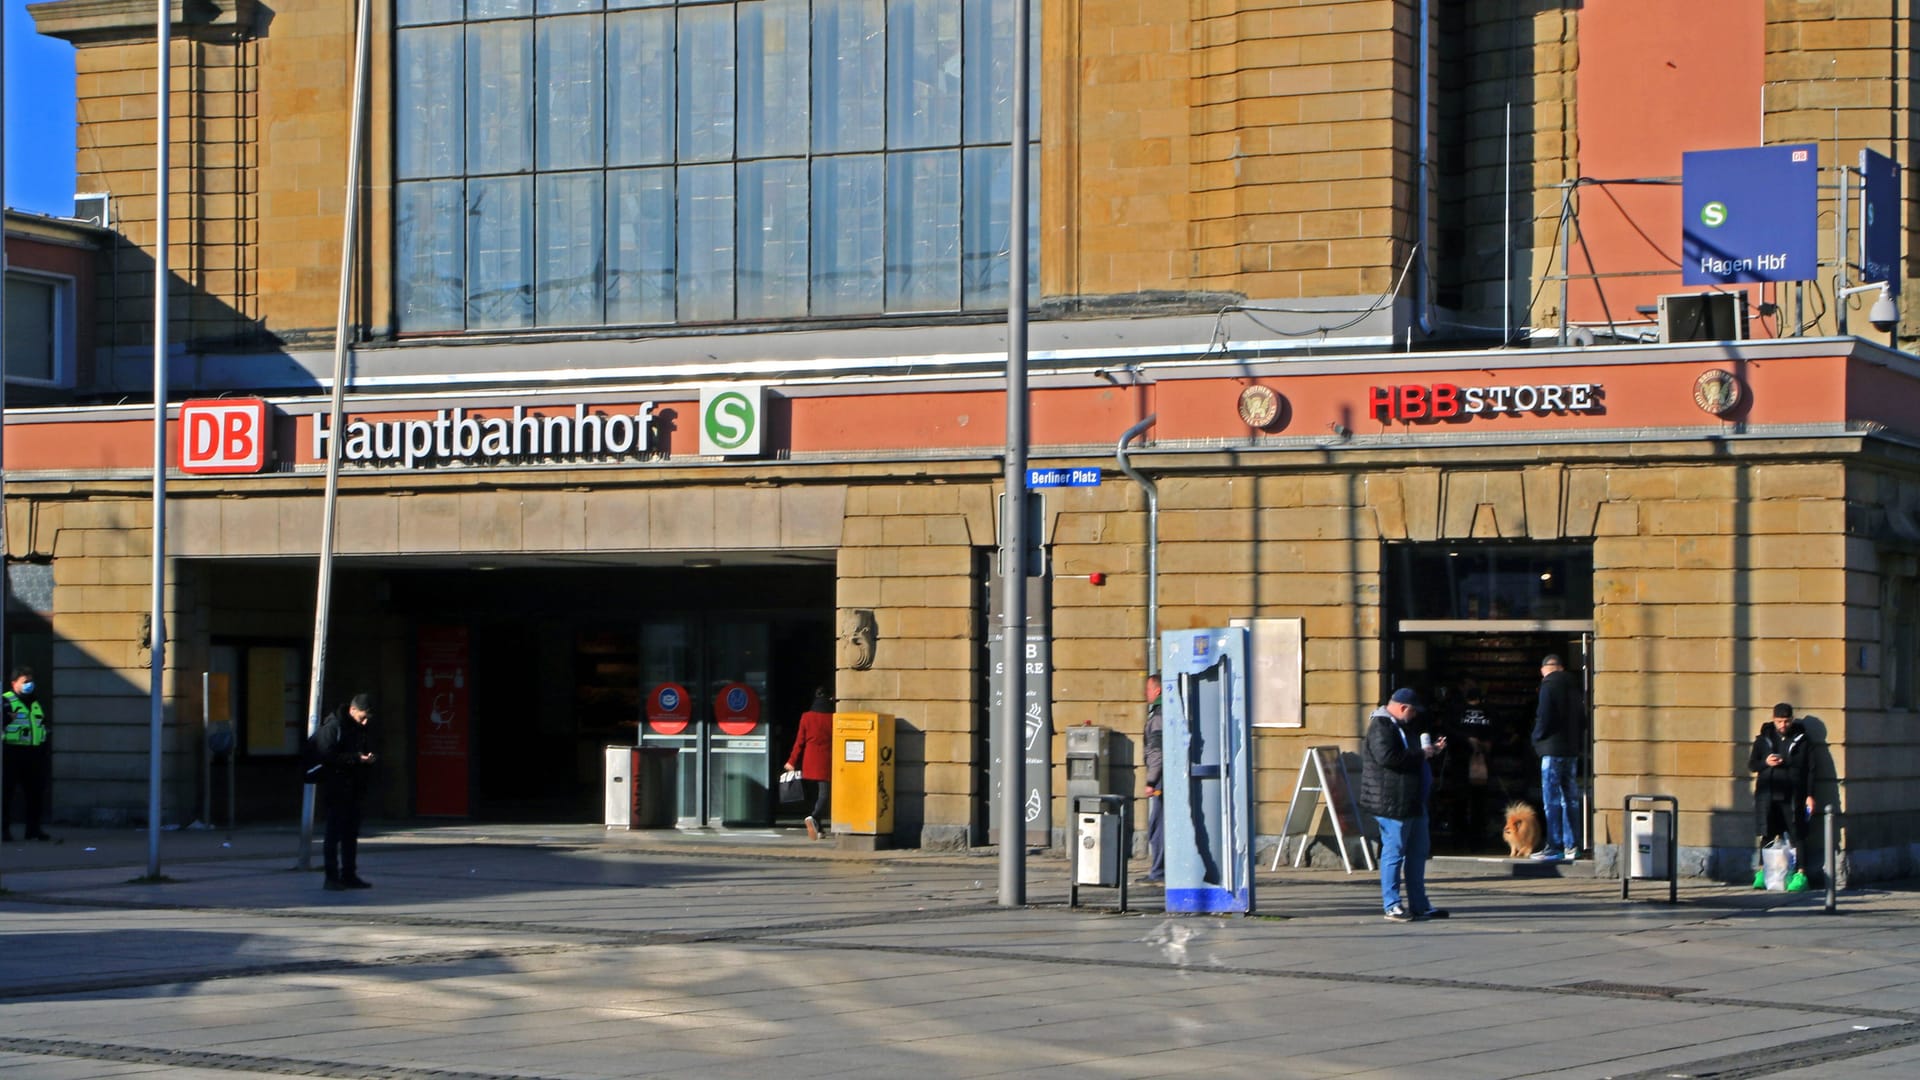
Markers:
point(571, 952)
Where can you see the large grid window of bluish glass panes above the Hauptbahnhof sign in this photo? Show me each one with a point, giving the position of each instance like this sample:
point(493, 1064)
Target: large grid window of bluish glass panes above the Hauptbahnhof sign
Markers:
point(640, 162)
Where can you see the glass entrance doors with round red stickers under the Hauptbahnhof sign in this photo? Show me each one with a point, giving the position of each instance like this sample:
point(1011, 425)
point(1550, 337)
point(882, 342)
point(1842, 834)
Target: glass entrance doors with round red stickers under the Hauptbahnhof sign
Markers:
point(706, 699)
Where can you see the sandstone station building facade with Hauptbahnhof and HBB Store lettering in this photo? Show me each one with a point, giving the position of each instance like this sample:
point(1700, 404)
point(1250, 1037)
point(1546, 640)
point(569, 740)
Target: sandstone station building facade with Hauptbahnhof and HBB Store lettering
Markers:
point(587, 222)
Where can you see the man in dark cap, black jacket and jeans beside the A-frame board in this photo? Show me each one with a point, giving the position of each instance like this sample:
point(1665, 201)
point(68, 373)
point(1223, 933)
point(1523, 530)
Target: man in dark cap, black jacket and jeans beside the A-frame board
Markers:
point(1395, 787)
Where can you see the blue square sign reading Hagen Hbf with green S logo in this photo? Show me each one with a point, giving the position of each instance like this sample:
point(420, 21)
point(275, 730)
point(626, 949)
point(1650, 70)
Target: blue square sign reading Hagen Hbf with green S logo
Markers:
point(1750, 214)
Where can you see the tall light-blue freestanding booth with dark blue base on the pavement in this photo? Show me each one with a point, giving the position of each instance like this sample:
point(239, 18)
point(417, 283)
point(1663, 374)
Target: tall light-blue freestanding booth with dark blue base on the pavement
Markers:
point(1209, 772)
